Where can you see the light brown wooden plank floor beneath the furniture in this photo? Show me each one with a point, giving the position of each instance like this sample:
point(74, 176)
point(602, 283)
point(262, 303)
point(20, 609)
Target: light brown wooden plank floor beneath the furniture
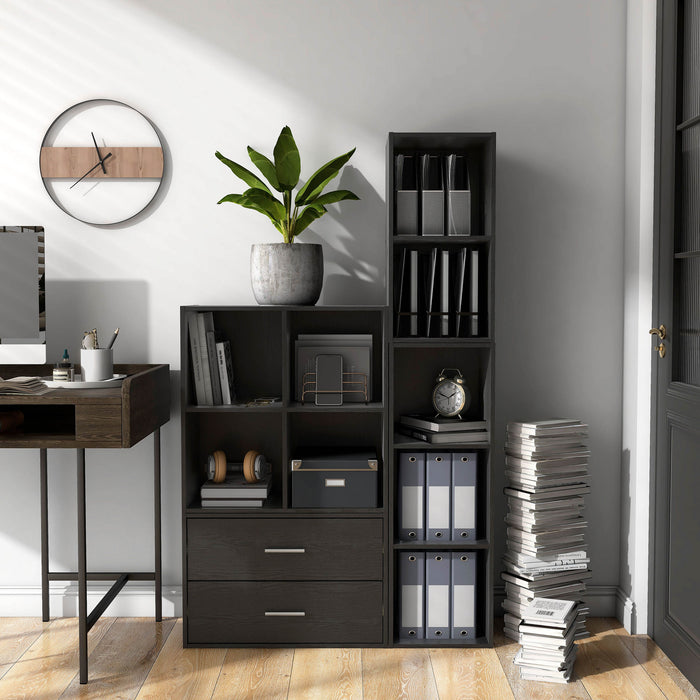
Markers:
point(139, 658)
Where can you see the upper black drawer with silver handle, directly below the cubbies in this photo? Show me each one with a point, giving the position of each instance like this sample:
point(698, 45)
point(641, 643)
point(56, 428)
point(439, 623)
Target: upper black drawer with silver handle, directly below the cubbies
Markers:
point(286, 549)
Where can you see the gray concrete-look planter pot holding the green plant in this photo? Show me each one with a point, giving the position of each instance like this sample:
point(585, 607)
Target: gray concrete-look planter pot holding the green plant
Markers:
point(286, 274)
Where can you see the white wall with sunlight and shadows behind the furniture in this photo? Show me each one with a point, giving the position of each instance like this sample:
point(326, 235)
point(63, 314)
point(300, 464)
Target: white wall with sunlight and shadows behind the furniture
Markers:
point(547, 76)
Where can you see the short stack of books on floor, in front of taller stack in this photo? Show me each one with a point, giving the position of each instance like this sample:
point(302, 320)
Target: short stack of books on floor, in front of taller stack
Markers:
point(547, 635)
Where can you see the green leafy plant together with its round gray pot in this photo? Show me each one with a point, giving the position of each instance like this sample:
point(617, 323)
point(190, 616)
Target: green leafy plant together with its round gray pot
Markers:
point(288, 272)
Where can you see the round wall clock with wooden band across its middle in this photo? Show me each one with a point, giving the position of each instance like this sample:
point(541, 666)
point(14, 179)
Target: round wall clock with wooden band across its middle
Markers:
point(102, 162)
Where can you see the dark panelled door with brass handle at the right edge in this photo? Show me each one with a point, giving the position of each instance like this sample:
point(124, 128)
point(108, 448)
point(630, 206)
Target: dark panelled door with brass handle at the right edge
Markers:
point(676, 575)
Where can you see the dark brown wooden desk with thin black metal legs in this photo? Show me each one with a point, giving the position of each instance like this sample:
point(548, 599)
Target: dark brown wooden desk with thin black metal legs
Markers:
point(91, 418)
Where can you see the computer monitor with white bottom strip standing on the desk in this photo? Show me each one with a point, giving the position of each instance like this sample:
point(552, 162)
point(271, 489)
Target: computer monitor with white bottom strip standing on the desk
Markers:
point(22, 295)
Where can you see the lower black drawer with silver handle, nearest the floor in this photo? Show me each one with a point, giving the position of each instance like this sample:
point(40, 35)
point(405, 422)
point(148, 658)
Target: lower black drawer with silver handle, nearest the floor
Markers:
point(254, 612)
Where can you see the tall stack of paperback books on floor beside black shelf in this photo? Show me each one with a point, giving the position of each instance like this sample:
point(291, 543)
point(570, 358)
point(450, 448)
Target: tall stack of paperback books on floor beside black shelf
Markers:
point(546, 556)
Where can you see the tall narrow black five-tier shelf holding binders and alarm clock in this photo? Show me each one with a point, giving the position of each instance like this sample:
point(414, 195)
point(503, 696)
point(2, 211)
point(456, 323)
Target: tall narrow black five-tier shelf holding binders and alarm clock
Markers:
point(440, 259)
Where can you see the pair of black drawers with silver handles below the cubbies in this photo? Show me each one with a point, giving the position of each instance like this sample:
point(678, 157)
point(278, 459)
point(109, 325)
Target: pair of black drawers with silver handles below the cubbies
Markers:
point(286, 581)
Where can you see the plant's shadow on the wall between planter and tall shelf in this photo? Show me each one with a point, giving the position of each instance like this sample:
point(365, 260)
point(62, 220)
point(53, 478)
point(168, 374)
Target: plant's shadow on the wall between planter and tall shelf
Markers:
point(356, 261)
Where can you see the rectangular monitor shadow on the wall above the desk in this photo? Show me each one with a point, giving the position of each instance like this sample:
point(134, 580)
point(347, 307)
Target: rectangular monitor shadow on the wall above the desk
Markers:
point(75, 306)
